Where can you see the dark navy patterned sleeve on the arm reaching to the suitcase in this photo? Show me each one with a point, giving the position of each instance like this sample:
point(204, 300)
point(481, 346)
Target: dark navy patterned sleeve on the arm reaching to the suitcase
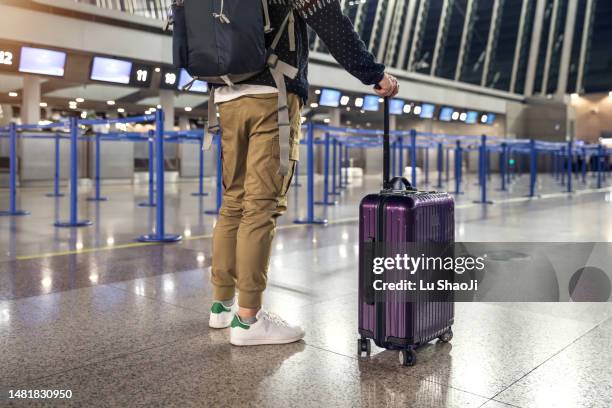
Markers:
point(335, 29)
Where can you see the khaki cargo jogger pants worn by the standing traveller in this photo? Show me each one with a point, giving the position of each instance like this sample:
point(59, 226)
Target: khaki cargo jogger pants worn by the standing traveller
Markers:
point(254, 194)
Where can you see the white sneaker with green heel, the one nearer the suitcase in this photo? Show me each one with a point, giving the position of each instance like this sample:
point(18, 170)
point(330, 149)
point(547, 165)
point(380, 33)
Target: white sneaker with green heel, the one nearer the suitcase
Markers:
point(268, 329)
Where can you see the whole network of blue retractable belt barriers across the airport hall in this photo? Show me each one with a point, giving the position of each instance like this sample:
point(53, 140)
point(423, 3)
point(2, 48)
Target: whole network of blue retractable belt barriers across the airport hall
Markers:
point(336, 143)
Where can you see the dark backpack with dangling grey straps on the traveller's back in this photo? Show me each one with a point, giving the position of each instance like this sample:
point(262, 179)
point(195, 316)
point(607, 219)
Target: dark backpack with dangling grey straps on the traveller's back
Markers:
point(222, 42)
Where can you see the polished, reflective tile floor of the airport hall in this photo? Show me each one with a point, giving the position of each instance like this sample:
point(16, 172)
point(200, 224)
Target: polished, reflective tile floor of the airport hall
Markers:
point(122, 324)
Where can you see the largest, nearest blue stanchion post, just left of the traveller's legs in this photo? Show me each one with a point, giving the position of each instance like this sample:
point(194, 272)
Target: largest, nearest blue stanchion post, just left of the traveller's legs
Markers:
point(160, 234)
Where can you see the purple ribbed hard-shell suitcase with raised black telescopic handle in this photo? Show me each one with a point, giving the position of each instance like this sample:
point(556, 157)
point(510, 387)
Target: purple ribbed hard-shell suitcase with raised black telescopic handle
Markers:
point(396, 215)
